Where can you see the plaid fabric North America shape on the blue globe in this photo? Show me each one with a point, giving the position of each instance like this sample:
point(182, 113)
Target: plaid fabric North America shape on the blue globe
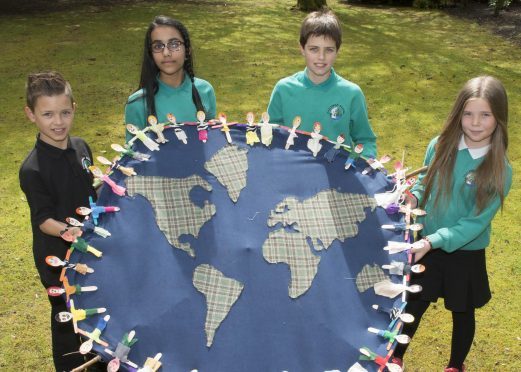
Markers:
point(175, 213)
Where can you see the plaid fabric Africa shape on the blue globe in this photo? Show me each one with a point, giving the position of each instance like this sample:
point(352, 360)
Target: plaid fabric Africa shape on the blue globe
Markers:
point(292, 249)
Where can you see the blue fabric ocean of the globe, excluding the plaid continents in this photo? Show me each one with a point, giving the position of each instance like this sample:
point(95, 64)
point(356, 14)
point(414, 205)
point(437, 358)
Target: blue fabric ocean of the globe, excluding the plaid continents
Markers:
point(146, 284)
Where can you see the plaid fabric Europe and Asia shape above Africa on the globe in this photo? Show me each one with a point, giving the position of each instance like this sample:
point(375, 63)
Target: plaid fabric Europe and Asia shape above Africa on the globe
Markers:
point(327, 216)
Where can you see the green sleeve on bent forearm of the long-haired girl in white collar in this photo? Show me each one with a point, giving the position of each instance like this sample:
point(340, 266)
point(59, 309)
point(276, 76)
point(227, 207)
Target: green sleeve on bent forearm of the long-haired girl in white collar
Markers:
point(469, 227)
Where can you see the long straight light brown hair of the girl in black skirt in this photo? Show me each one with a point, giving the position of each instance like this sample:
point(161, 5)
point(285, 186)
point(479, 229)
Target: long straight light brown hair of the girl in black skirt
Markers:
point(490, 175)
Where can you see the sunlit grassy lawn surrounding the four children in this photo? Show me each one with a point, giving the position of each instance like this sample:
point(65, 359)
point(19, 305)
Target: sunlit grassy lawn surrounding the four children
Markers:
point(409, 63)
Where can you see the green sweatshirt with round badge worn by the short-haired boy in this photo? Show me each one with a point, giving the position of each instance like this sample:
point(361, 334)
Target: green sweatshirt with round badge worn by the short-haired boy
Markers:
point(338, 104)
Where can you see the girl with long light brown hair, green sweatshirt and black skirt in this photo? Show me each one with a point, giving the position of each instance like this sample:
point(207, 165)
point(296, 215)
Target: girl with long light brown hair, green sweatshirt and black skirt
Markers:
point(466, 183)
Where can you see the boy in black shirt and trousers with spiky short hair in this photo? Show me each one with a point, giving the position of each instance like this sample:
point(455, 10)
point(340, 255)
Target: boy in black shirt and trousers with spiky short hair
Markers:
point(56, 180)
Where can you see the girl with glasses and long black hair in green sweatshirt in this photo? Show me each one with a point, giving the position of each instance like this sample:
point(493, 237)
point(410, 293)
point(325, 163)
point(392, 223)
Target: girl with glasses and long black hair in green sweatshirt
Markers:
point(167, 83)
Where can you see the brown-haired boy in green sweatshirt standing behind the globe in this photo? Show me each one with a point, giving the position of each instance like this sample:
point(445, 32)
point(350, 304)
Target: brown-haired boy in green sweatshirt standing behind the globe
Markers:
point(318, 93)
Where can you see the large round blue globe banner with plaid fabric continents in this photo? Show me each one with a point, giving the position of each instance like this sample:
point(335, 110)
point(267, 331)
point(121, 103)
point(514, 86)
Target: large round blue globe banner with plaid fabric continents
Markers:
point(239, 257)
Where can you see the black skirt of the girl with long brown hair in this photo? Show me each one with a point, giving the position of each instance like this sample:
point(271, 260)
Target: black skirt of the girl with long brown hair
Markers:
point(460, 278)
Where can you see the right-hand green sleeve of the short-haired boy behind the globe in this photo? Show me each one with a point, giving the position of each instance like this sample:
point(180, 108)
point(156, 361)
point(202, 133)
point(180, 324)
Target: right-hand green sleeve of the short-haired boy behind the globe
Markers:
point(360, 128)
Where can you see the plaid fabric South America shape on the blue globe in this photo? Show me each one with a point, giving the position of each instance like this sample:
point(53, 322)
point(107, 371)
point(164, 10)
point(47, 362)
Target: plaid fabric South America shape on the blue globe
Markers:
point(220, 292)
